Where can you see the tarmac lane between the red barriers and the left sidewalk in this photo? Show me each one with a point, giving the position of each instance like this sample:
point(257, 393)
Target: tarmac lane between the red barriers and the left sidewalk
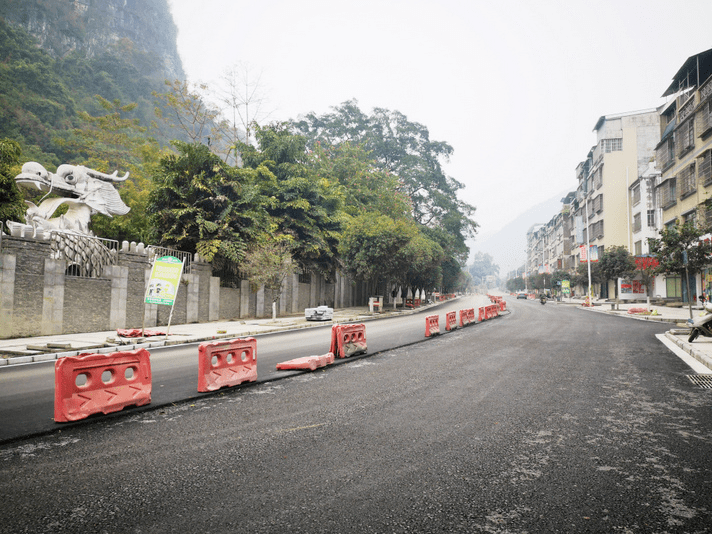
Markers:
point(27, 391)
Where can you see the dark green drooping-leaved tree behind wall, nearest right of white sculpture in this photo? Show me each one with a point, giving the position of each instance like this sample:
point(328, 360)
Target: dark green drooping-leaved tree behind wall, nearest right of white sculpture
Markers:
point(200, 204)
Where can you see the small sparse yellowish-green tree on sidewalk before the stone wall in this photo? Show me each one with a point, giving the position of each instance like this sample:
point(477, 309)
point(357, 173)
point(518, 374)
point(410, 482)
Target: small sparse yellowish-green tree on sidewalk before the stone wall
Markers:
point(268, 264)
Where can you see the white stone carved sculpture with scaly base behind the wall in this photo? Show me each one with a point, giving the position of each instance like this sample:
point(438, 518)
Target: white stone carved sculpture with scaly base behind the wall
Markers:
point(85, 192)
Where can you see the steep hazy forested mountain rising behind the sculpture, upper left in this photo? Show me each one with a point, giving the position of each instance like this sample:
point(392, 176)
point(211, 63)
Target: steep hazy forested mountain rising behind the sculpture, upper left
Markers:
point(57, 55)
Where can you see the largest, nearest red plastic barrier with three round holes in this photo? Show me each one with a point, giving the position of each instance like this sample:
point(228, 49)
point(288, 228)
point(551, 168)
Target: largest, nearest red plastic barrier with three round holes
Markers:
point(99, 383)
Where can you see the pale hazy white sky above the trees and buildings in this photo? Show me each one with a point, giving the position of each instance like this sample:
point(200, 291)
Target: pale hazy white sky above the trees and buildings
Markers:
point(515, 87)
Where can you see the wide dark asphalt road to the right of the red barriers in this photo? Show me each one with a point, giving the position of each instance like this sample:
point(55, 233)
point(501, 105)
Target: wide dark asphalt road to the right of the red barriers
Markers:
point(552, 419)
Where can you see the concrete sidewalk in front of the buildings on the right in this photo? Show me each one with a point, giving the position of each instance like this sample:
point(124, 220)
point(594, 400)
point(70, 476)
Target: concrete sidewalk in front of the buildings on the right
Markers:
point(700, 349)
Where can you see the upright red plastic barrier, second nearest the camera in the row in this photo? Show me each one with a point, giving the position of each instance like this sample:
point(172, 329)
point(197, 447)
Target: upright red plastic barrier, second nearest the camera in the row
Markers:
point(226, 363)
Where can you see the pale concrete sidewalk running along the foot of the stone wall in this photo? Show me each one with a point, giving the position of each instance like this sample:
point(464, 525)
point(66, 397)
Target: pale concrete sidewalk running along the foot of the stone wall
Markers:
point(43, 348)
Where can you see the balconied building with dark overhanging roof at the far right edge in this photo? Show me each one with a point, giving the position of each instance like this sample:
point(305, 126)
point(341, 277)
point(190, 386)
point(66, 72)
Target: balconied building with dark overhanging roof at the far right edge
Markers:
point(684, 155)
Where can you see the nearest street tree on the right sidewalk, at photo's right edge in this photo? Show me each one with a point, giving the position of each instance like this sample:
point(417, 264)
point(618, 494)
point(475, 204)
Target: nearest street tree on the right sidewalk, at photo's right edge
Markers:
point(681, 251)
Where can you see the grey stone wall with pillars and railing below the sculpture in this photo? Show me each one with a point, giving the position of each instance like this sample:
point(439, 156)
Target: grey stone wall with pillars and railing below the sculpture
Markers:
point(41, 293)
